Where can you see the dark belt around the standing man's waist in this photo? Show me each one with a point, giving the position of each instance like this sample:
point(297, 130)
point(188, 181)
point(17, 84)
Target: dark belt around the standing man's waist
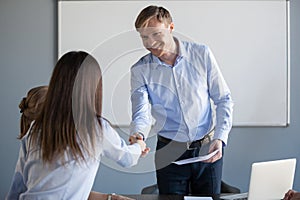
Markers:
point(189, 145)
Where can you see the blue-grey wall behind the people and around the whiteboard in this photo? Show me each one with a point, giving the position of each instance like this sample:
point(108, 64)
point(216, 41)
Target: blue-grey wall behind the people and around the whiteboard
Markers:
point(28, 38)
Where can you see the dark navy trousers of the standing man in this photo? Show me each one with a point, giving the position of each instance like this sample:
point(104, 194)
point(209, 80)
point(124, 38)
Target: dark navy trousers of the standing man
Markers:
point(195, 178)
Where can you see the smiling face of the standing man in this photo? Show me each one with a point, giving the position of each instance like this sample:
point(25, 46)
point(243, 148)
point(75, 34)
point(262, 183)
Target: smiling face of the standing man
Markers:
point(156, 37)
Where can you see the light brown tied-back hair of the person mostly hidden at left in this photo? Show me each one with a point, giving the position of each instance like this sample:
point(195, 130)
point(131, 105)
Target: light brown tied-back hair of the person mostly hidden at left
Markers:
point(30, 107)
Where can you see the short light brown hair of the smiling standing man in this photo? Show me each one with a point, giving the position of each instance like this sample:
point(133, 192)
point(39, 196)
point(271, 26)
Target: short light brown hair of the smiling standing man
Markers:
point(159, 13)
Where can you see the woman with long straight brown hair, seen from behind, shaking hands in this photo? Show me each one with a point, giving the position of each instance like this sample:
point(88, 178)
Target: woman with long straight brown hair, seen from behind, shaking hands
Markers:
point(60, 154)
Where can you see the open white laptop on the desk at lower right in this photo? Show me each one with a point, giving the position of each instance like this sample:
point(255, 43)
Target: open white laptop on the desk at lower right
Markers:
point(269, 180)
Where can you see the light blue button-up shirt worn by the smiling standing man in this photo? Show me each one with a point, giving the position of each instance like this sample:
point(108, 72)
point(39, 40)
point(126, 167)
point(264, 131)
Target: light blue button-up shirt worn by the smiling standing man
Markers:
point(179, 97)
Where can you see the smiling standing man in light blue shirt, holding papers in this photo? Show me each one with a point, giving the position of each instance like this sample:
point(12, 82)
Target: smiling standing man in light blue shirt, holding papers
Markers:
point(176, 82)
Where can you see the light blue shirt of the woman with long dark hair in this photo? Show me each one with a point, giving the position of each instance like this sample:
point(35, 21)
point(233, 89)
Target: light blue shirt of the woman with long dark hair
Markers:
point(34, 180)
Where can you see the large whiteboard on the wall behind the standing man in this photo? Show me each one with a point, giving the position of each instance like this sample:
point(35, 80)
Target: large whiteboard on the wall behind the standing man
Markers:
point(250, 40)
